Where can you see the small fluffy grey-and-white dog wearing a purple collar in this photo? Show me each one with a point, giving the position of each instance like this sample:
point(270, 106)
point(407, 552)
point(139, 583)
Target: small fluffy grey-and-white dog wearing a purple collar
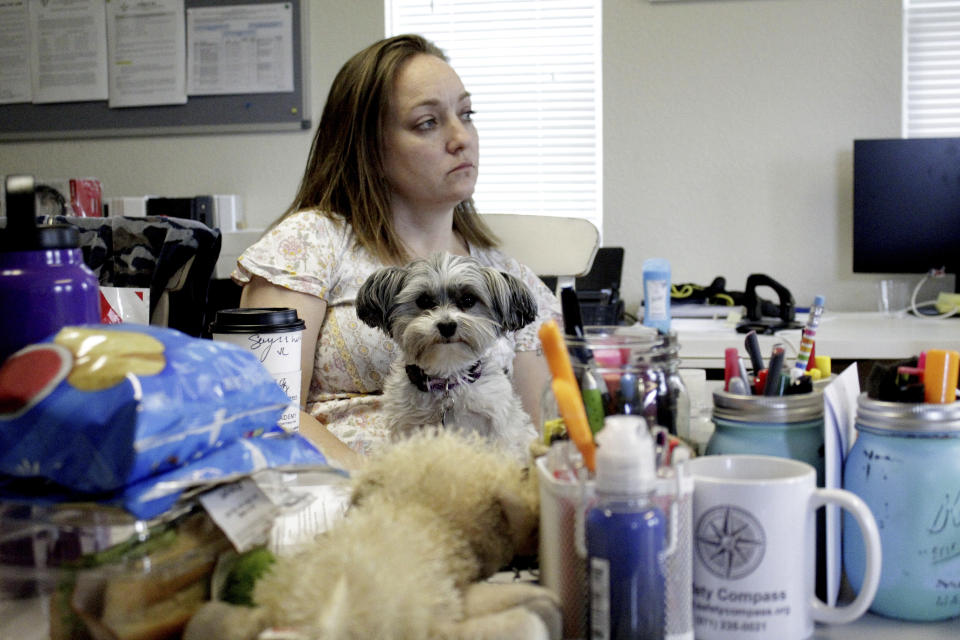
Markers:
point(447, 314)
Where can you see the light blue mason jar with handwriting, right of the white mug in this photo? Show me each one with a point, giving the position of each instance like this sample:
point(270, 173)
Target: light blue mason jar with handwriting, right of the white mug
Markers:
point(905, 465)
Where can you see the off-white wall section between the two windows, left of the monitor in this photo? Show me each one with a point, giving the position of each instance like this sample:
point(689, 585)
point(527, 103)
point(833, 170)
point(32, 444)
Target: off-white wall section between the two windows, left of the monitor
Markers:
point(728, 129)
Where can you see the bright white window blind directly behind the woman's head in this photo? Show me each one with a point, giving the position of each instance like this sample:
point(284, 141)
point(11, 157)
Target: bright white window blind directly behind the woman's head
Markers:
point(533, 70)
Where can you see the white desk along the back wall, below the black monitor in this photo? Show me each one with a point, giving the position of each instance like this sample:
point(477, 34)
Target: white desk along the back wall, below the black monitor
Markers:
point(841, 335)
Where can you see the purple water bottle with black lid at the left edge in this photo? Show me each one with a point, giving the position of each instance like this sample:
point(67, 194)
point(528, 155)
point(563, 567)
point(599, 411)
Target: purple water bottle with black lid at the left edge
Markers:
point(44, 283)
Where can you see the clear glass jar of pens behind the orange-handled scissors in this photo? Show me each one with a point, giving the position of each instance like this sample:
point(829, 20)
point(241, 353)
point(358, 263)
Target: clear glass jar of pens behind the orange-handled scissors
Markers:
point(631, 370)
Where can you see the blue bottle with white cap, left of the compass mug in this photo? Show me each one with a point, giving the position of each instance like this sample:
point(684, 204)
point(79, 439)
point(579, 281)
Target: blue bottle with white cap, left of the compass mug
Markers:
point(626, 536)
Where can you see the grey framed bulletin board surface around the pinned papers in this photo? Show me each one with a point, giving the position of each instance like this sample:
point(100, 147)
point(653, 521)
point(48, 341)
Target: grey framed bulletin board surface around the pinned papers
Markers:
point(207, 114)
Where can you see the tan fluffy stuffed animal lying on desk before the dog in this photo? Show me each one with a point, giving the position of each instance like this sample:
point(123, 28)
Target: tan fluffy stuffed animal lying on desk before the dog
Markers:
point(431, 518)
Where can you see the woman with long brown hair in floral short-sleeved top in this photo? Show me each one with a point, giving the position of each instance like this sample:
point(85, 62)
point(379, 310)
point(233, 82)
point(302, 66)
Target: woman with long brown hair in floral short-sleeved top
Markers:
point(390, 177)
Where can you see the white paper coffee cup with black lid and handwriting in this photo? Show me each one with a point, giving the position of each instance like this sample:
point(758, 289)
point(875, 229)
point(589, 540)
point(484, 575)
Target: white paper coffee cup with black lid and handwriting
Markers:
point(273, 335)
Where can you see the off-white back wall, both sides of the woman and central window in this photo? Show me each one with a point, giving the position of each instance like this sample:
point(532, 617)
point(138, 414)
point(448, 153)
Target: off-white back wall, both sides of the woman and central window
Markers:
point(728, 128)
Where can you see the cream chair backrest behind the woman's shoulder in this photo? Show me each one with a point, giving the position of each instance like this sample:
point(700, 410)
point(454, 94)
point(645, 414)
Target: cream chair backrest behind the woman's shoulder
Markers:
point(549, 245)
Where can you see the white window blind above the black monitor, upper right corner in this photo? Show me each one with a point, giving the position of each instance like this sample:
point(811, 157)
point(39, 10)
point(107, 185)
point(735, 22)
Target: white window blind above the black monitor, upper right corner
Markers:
point(931, 58)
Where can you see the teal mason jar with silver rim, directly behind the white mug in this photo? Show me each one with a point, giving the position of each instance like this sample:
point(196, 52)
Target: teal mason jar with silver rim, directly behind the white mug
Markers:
point(786, 426)
